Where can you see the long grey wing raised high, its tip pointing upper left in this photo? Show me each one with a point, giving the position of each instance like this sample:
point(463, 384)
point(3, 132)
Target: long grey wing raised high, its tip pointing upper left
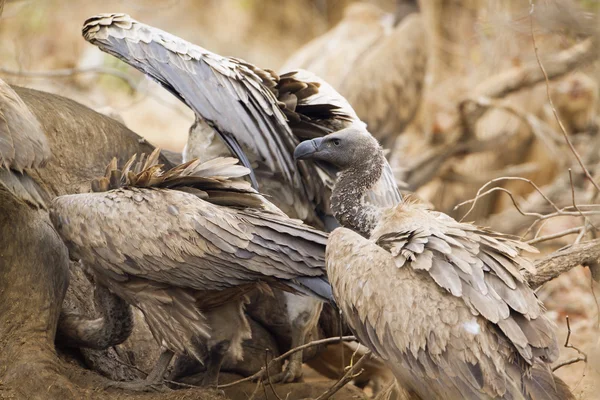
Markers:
point(230, 94)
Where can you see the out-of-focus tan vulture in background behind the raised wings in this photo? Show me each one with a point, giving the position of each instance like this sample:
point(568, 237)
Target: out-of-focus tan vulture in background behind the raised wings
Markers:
point(377, 61)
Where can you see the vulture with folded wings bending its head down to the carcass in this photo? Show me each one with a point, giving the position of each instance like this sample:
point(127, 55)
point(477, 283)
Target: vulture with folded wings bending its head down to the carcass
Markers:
point(185, 246)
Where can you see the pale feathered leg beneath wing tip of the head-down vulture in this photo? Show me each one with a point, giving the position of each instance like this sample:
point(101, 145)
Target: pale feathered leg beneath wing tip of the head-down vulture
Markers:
point(303, 312)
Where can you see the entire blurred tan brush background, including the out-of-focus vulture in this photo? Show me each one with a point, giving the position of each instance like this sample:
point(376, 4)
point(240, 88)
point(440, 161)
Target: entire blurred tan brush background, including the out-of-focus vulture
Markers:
point(453, 90)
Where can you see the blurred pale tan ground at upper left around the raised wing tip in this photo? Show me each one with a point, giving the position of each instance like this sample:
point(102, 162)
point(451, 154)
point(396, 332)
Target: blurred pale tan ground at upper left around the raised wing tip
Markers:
point(45, 35)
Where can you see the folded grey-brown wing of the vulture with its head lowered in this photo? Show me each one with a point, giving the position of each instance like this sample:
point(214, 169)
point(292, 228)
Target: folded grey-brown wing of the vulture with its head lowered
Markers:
point(176, 238)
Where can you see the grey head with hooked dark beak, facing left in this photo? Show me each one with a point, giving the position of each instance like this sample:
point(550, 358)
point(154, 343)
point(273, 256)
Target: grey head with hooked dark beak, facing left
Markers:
point(347, 148)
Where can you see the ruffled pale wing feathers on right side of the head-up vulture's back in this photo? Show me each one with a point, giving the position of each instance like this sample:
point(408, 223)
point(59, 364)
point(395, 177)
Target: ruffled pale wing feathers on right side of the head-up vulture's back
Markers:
point(478, 266)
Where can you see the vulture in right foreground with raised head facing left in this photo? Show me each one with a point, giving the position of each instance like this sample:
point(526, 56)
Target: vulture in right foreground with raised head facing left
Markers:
point(443, 303)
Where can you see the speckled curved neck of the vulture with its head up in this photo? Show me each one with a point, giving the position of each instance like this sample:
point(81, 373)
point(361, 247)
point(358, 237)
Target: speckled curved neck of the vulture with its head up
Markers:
point(349, 201)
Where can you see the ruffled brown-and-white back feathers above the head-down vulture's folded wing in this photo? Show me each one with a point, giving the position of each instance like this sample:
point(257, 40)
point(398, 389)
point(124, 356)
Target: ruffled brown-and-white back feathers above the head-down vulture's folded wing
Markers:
point(214, 181)
